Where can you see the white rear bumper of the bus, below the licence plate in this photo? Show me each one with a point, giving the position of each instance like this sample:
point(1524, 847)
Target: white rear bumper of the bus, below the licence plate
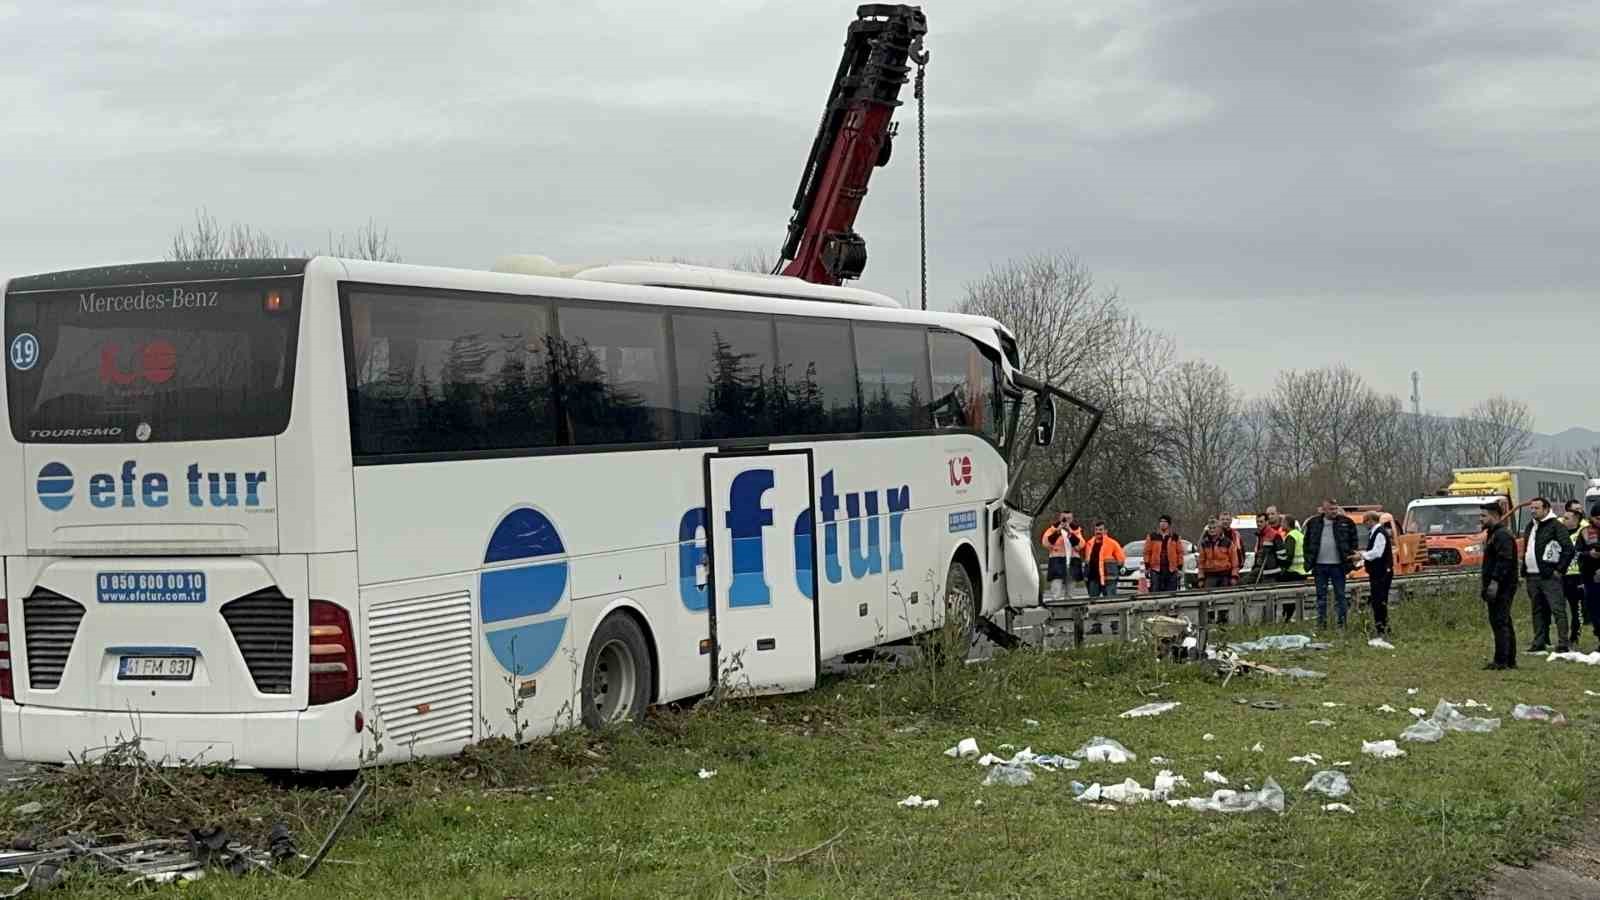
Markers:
point(319, 739)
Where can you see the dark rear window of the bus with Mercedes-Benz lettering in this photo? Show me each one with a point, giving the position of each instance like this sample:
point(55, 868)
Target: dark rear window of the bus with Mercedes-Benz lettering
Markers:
point(198, 361)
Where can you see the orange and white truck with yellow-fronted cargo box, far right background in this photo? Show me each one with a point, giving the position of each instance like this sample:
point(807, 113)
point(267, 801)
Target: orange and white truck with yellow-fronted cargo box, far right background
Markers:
point(1449, 523)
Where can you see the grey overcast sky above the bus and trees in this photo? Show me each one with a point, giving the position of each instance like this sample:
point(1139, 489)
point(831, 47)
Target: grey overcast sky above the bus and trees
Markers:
point(1279, 185)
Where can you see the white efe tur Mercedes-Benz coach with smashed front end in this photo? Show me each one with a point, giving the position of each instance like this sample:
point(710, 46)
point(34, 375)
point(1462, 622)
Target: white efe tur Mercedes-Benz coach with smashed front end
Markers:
point(308, 515)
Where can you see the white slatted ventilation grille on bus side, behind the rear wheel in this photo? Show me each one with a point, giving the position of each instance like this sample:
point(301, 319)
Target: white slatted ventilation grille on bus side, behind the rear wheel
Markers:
point(422, 669)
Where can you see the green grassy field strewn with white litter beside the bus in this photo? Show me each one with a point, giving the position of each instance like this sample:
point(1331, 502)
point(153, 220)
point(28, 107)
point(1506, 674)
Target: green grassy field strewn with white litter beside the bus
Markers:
point(804, 802)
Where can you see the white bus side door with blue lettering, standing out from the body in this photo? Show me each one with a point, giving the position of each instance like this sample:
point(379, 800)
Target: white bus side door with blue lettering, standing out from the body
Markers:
point(764, 584)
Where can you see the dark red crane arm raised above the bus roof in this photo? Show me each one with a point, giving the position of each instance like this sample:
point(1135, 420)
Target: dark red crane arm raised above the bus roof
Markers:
point(854, 139)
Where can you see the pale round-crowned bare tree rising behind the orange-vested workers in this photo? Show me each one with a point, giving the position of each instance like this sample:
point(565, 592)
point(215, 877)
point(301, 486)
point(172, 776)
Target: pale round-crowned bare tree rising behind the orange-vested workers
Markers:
point(1202, 438)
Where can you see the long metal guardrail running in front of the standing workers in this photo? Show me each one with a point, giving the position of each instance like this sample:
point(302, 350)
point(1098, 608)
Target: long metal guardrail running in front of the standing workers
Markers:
point(1081, 622)
